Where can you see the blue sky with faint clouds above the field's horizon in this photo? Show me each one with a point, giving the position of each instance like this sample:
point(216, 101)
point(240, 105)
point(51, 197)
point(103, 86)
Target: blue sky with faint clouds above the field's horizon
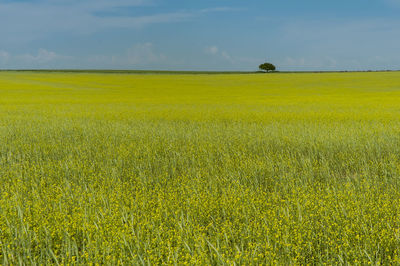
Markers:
point(200, 34)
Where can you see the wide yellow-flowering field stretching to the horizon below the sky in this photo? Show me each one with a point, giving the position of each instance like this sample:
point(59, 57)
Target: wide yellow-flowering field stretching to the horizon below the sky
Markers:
point(247, 169)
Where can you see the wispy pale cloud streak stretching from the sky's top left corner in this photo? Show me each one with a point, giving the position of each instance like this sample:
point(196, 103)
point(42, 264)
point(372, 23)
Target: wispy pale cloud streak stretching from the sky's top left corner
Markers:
point(28, 21)
